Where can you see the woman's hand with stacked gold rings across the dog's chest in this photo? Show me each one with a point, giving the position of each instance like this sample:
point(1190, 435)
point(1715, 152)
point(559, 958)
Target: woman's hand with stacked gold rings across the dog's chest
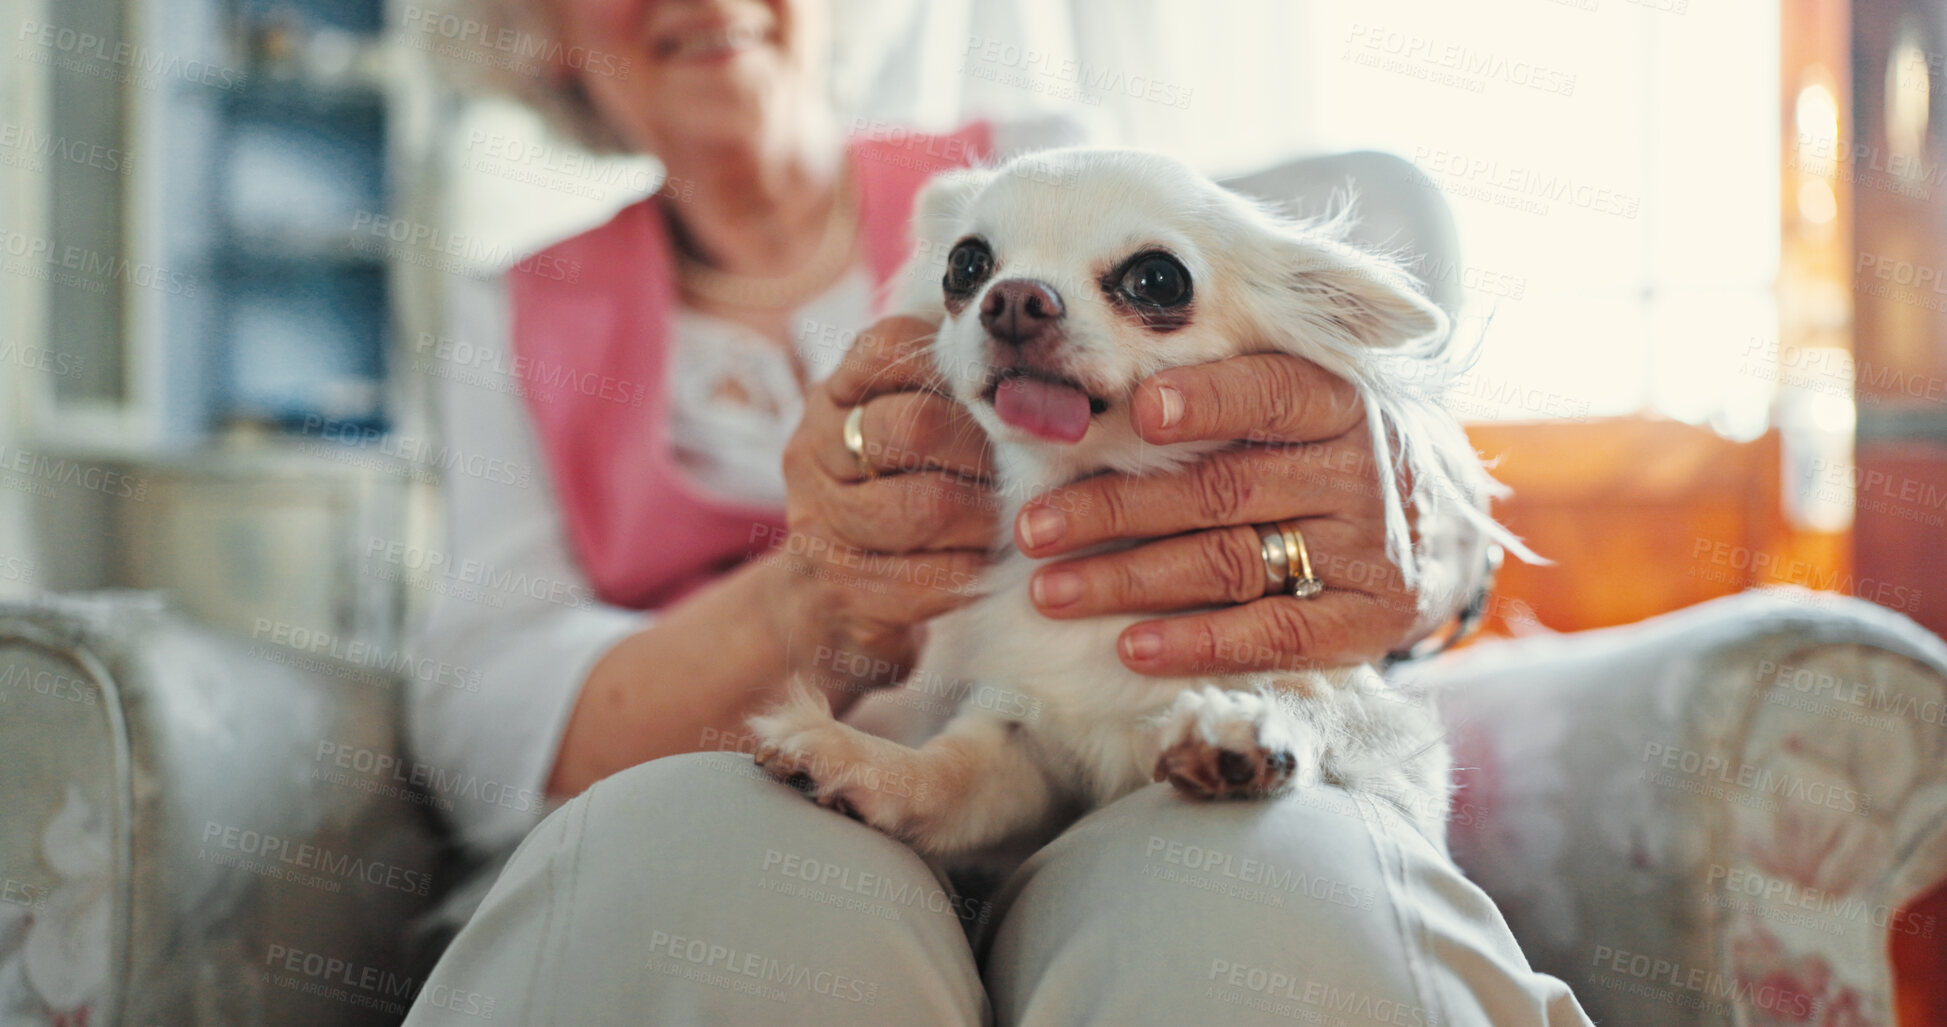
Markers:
point(1313, 463)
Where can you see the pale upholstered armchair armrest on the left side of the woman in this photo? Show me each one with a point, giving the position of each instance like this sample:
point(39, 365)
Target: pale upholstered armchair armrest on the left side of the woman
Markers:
point(180, 839)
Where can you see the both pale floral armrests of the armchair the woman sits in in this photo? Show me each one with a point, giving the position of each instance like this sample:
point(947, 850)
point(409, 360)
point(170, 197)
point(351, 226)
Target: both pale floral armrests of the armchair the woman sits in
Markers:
point(1736, 814)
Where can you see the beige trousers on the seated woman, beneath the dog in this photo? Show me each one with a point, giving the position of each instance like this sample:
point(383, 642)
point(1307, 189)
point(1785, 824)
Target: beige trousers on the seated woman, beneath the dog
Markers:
point(696, 892)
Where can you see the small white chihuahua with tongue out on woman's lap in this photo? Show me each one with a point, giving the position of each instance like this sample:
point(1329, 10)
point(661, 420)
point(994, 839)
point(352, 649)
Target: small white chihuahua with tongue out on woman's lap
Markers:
point(1066, 282)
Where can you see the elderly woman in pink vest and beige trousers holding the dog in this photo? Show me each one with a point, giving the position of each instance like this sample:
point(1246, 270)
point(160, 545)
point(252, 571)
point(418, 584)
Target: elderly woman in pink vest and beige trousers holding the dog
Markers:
point(694, 535)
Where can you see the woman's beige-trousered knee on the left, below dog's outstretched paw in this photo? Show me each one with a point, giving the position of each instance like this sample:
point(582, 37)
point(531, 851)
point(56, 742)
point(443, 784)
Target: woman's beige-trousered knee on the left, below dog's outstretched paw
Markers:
point(694, 890)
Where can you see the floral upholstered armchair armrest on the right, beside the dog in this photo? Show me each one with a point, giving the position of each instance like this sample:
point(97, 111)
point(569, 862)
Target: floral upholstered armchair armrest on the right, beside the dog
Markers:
point(1730, 814)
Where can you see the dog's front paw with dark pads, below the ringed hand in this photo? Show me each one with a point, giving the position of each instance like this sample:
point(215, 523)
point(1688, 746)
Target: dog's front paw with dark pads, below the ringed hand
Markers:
point(1233, 745)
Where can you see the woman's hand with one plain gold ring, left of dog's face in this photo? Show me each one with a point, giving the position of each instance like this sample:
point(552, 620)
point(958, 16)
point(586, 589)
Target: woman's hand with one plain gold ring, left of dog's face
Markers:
point(875, 552)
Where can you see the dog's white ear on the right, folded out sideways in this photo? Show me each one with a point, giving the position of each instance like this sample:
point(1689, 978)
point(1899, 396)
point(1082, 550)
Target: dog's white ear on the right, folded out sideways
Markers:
point(1354, 299)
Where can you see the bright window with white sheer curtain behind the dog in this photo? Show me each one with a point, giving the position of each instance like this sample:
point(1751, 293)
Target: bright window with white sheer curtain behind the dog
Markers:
point(1613, 167)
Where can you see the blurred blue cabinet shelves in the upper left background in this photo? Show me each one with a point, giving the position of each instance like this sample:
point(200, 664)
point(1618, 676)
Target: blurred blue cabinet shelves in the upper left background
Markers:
point(301, 163)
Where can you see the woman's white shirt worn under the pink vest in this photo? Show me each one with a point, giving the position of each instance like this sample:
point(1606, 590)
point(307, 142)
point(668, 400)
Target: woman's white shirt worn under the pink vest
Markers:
point(488, 728)
